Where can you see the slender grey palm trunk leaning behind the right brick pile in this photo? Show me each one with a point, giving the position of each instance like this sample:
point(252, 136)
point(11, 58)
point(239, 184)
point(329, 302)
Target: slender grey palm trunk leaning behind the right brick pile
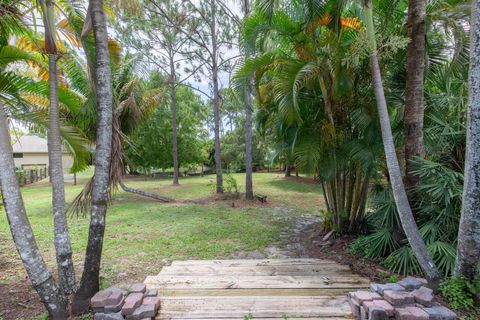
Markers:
point(405, 212)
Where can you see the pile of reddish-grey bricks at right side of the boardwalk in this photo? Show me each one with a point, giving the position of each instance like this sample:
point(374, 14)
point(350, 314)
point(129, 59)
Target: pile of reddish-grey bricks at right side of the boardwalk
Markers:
point(408, 299)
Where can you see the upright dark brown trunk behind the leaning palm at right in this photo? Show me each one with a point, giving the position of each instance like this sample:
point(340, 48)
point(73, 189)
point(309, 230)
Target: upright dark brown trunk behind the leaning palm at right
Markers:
point(414, 89)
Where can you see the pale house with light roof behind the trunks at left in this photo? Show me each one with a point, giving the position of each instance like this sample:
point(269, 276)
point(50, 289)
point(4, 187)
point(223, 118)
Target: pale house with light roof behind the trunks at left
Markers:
point(32, 152)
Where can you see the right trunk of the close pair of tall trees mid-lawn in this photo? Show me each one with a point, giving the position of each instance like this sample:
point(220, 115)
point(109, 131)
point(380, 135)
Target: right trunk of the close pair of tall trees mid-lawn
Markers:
point(248, 128)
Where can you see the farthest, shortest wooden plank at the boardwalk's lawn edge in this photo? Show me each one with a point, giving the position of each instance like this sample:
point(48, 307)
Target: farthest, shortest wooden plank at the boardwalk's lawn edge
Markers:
point(252, 262)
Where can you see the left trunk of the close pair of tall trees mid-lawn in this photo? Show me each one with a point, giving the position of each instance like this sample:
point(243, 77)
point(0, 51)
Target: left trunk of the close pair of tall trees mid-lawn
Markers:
point(216, 106)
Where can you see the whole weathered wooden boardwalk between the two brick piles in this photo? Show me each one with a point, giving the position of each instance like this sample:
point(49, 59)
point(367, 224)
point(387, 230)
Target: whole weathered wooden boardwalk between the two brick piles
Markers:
point(258, 289)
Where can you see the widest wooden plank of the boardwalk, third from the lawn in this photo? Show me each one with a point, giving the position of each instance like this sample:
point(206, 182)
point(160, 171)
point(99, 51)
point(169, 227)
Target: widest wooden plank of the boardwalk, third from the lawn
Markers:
point(253, 282)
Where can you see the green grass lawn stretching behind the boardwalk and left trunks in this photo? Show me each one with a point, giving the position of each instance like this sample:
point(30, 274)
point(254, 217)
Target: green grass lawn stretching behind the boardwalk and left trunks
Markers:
point(141, 233)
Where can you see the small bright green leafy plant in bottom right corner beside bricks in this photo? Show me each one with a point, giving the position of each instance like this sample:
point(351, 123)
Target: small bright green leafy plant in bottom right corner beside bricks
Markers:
point(459, 292)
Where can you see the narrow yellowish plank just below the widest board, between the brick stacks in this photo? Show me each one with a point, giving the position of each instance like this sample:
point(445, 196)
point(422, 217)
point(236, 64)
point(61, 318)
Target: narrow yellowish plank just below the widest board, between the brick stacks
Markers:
point(253, 292)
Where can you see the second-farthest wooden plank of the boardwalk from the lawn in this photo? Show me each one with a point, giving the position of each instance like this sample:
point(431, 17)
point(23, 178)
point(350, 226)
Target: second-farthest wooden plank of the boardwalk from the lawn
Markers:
point(304, 269)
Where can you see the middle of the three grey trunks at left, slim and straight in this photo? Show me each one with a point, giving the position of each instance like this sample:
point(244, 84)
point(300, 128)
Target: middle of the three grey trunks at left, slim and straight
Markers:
point(66, 271)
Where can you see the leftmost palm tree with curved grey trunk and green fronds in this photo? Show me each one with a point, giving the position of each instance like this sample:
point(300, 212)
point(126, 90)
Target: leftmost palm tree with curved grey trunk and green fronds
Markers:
point(37, 270)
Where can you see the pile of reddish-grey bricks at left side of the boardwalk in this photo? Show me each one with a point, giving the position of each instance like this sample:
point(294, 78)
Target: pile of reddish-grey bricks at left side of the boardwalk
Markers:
point(135, 303)
